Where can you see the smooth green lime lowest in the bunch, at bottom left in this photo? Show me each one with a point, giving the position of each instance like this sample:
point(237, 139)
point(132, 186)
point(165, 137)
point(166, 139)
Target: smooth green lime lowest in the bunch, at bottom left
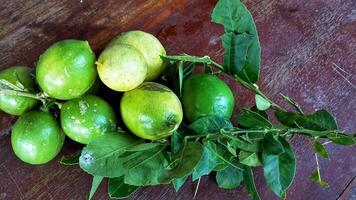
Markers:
point(36, 137)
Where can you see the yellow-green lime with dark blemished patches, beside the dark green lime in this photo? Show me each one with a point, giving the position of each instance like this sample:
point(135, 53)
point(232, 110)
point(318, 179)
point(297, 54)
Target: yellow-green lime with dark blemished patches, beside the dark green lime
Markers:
point(151, 111)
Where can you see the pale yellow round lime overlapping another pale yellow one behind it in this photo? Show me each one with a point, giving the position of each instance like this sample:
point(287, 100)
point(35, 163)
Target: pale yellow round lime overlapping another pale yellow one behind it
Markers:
point(121, 67)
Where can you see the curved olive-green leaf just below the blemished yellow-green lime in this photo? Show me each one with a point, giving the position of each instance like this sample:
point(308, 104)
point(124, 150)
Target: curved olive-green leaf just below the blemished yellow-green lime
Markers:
point(186, 159)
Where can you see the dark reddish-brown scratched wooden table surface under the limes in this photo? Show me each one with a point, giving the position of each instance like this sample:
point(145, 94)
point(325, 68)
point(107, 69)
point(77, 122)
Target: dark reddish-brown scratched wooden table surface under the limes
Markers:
point(308, 53)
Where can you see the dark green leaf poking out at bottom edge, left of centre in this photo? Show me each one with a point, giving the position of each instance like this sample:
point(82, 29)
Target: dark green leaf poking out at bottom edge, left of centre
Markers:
point(117, 189)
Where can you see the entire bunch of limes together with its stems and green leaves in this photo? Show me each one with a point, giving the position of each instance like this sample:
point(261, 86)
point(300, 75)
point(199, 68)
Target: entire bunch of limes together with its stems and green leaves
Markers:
point(176, 123)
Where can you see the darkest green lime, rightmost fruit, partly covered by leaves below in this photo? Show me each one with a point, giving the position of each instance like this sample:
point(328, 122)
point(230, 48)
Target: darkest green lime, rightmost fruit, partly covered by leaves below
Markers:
point(206, 94)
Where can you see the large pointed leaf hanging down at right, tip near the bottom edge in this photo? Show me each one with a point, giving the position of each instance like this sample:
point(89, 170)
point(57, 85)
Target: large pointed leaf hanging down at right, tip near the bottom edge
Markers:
point(279, 170)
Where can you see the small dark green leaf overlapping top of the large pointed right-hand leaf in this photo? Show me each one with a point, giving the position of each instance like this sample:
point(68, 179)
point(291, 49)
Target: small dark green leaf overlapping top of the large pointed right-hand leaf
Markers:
point(272, 145)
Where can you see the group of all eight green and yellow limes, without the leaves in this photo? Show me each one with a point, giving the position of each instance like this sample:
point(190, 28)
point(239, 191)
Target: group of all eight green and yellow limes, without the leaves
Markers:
point(66, 77)
